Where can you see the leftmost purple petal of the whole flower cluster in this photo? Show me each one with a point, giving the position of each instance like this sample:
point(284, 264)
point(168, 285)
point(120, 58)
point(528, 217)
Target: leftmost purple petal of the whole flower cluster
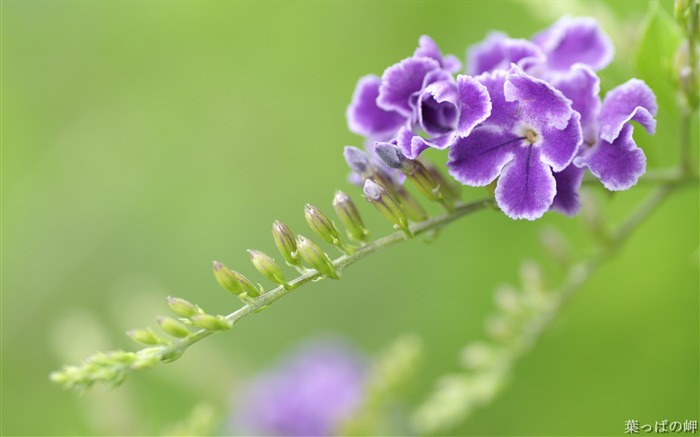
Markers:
point(365, 117)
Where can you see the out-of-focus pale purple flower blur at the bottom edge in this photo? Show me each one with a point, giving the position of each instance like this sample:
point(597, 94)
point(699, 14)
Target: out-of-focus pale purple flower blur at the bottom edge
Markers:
point(309, 394)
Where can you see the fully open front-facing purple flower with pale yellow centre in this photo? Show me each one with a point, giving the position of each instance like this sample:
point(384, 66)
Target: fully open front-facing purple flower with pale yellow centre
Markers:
point(531, 132)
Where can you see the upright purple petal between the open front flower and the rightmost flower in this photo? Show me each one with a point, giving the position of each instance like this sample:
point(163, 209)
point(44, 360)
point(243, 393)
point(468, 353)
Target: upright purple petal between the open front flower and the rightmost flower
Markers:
point(581, 85)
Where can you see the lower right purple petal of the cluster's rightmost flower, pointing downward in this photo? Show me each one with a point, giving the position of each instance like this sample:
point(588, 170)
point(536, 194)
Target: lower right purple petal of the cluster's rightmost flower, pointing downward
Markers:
point(619, 164)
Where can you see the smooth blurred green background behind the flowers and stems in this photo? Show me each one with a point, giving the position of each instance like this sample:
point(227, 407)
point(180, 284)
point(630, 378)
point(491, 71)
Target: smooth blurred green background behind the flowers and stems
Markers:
point(141, 140)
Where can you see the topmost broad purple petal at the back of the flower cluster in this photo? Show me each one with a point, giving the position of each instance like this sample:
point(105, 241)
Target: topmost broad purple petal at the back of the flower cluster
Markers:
point(575, 40)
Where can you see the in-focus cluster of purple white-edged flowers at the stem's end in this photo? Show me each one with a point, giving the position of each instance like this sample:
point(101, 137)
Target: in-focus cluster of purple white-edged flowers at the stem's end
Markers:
point(528, 115)
